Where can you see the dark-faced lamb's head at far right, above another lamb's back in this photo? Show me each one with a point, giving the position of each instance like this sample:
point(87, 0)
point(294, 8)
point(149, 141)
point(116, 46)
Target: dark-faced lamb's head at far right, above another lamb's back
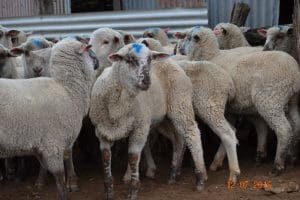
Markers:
point(281, 38)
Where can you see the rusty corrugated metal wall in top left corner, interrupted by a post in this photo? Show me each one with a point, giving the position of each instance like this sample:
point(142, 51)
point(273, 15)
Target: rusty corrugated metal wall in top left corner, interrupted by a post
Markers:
point(23, 8)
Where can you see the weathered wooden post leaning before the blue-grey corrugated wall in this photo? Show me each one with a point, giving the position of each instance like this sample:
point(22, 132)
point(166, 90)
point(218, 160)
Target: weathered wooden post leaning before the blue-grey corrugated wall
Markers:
point(239, 13)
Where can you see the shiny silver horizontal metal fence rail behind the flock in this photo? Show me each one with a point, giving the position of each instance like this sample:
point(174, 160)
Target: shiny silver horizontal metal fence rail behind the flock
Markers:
point(132, 21)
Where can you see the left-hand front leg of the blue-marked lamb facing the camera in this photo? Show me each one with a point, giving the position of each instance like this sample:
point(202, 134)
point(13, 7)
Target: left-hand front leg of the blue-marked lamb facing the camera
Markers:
point(105, 148)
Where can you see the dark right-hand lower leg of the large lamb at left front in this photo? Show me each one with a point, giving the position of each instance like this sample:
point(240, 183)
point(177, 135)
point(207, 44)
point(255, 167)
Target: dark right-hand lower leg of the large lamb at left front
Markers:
point(71, 177)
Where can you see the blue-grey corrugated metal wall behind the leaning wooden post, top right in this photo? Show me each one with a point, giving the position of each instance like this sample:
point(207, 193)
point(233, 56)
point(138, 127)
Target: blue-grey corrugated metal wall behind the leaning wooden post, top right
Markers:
point(262, 13)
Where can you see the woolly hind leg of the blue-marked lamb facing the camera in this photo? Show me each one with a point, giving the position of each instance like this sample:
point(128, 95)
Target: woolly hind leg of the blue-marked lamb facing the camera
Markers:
point(184, 122)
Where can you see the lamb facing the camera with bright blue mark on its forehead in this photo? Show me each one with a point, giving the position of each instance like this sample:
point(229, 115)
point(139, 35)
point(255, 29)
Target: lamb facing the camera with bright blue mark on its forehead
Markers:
point(134, 94)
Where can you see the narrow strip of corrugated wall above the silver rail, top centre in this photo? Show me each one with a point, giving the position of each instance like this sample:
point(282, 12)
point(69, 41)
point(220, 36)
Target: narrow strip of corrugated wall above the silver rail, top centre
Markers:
point(161, 4)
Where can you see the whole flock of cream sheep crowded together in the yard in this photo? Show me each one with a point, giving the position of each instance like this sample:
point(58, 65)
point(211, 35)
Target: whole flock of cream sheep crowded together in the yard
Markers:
point(132, 87)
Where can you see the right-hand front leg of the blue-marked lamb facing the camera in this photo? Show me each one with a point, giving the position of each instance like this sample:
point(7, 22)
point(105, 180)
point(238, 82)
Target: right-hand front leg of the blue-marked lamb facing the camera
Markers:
point(136, 144)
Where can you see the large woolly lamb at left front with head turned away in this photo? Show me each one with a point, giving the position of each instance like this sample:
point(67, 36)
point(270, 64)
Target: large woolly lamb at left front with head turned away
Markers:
point(62, 101)
